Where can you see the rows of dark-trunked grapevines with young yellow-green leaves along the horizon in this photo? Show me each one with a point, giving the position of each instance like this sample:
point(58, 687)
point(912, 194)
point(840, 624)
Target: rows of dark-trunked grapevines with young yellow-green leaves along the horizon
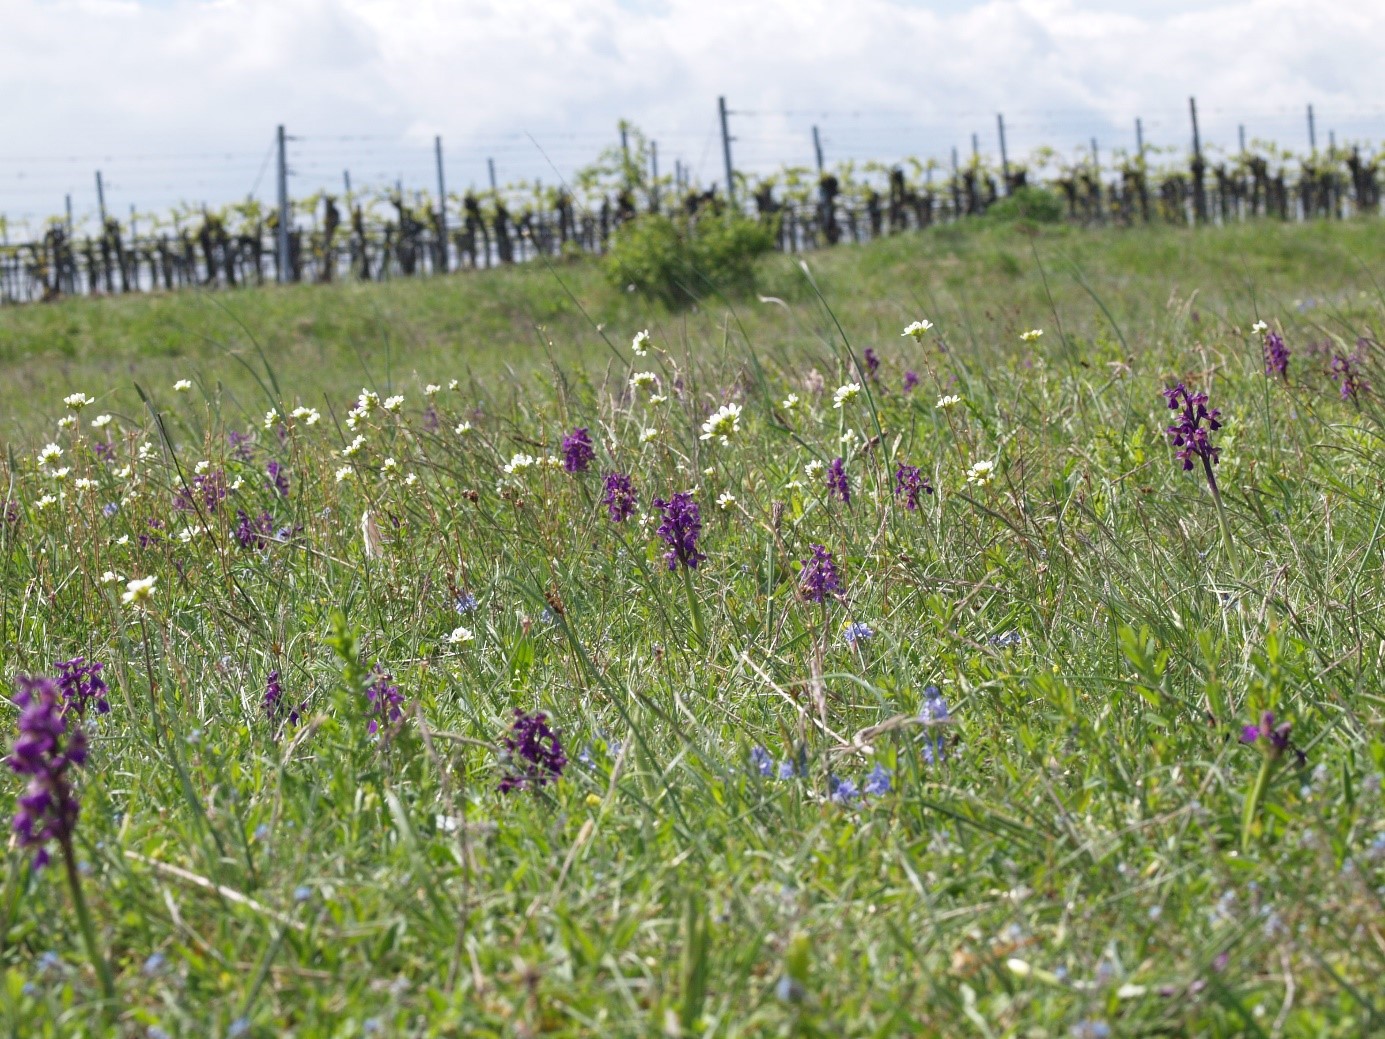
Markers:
point(393, 235)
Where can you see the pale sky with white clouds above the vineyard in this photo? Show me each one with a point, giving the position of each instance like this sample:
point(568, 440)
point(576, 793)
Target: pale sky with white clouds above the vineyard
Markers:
point(178, 100)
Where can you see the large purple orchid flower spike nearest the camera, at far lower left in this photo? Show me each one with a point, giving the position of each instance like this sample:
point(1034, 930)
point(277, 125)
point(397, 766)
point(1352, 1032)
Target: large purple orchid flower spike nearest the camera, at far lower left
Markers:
point(51, 742)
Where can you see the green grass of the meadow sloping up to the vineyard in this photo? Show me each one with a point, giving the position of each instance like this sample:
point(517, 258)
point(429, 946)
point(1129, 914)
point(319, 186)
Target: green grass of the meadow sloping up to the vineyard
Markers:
point(1092, 849)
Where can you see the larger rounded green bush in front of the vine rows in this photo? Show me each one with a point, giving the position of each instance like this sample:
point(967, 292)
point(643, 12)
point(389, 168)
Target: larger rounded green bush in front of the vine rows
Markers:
point(679, 261)
